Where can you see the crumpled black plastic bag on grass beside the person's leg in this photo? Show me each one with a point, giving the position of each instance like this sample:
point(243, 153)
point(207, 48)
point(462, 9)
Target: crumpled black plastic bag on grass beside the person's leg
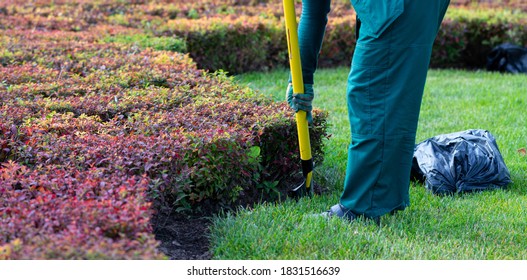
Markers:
point(459, 162)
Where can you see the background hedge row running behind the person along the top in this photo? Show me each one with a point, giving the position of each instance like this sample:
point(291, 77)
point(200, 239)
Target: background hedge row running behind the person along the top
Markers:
point(248, 35)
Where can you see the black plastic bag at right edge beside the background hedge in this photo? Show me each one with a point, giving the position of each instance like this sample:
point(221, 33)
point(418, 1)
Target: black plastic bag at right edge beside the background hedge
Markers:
point(507, 58)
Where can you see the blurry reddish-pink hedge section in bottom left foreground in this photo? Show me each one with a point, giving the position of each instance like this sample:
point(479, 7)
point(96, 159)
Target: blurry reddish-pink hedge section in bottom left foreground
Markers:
point(64, 213)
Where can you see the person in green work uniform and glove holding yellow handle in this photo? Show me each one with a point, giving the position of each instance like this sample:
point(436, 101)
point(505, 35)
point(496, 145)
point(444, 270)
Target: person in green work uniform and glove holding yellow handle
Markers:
point(384, 93)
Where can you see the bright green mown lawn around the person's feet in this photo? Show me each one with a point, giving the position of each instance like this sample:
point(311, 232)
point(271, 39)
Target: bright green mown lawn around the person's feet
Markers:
point(479, 226)
